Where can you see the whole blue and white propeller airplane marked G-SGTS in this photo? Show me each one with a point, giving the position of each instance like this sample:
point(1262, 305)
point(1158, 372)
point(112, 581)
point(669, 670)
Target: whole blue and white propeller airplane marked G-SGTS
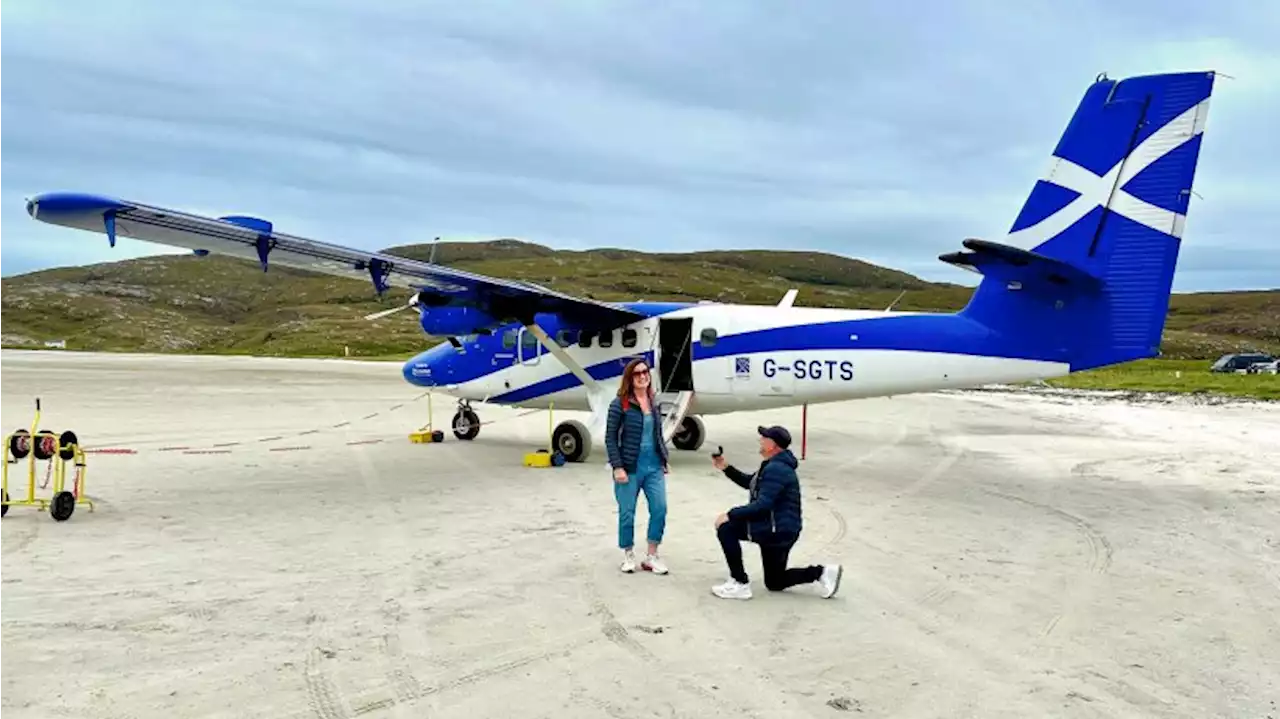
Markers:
point(1082, 281)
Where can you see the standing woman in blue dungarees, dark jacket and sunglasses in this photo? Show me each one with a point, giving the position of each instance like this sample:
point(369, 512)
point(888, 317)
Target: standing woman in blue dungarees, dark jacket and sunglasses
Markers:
point(639, 460)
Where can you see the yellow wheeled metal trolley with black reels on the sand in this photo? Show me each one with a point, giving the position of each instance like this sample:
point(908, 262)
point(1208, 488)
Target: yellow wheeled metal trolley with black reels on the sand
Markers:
point(43, 446)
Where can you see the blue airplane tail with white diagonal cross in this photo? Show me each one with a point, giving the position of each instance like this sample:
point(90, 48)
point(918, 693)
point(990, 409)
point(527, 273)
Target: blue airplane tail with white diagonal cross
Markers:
point(1086, 273)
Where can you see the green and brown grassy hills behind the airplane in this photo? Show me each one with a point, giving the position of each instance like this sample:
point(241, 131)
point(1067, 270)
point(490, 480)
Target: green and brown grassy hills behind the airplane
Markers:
point(220, 305)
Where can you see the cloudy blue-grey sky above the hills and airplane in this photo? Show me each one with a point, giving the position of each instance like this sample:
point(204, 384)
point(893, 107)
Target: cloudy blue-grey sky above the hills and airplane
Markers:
point(886, 132)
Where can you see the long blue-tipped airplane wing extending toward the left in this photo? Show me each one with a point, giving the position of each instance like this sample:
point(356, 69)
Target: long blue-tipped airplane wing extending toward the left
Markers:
point(254, 239)
